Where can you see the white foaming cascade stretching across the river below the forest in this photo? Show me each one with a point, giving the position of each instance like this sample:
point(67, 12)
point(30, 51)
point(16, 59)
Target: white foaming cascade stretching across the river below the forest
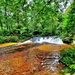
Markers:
point(51, 40)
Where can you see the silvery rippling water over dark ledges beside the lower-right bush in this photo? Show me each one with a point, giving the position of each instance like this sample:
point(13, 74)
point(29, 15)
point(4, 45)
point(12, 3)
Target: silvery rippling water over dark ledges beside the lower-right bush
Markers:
point(51, 61)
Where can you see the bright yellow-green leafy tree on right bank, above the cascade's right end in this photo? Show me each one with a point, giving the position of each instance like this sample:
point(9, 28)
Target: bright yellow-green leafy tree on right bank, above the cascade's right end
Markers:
point(68, 26)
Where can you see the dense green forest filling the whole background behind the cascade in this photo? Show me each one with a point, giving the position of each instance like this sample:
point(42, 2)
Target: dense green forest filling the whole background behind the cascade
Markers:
point(29, 18)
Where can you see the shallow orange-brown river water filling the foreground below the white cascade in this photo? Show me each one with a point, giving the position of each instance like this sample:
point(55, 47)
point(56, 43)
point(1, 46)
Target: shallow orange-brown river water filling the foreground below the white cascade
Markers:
point(30, 59)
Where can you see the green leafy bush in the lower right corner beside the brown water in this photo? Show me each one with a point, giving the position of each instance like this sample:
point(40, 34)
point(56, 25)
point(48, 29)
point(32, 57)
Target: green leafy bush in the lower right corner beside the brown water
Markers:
point(68, 59)
